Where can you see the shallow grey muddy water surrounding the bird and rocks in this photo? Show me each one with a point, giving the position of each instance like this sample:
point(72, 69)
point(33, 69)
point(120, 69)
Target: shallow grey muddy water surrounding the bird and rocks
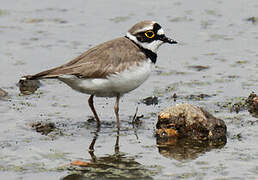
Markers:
point(217, 56)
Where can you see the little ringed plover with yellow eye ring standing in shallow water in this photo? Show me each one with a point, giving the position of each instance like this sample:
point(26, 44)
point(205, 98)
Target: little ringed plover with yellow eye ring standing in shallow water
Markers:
point(112, 68)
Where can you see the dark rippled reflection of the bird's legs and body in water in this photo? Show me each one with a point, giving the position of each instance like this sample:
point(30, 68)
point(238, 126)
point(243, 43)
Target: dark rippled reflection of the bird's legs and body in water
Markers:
point(115, 166)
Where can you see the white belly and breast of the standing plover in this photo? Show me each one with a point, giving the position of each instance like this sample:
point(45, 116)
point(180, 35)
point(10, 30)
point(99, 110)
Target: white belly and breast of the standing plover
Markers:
point(113, 85)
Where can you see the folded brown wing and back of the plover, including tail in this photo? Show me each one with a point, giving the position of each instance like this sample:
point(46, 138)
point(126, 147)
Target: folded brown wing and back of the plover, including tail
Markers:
point(99, 62)
